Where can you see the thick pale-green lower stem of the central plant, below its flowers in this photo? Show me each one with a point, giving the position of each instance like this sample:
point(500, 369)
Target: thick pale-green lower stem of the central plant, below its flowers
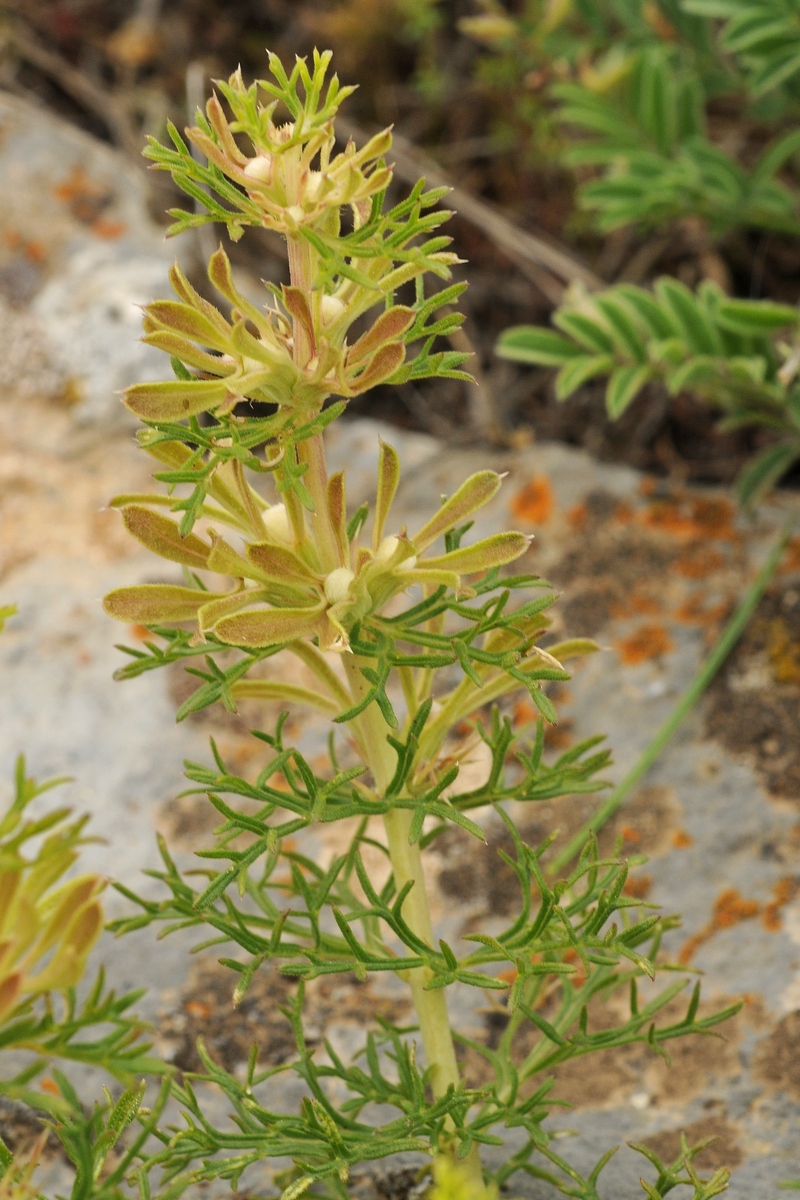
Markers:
point(431, 1007)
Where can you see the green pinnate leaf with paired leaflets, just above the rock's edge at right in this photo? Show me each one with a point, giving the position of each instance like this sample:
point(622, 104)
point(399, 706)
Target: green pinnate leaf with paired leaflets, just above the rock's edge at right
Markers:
point(724, 351)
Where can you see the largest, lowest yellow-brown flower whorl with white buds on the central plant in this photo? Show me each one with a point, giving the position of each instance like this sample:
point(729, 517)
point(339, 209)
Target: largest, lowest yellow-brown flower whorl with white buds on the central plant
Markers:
point(284, 591)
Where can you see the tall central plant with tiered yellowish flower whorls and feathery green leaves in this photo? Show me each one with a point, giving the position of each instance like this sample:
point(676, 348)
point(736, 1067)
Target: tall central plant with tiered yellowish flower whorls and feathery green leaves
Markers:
point(406, 635)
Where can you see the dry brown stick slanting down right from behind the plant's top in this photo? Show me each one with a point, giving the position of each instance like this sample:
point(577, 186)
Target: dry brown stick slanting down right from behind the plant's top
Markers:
point(548, 266)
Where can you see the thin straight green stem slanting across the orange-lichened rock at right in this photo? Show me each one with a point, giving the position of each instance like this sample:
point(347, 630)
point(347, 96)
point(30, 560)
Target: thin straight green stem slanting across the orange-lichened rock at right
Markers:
point(729, 639)
